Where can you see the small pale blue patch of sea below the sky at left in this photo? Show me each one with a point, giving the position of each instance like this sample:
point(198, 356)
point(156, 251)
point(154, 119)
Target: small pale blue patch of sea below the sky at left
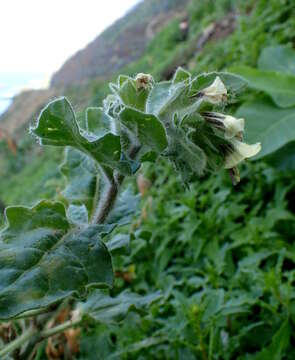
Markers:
point(12, 83)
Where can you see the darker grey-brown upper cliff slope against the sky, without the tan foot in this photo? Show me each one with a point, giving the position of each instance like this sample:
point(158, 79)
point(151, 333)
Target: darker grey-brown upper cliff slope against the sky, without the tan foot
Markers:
point(120, 44)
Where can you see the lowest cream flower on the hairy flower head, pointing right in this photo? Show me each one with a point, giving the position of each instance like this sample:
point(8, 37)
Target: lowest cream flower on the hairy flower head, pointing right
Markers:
point(241, 151)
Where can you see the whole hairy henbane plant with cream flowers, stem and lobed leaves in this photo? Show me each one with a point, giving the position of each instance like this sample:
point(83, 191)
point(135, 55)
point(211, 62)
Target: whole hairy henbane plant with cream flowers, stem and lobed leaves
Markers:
point(56, 250)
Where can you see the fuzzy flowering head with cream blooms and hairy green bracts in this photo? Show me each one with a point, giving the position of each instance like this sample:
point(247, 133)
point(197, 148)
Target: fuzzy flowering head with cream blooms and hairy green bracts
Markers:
point(178, 119)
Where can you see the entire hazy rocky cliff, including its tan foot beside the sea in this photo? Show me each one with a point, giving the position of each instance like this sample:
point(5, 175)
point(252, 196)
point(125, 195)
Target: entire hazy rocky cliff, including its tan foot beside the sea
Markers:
point(119, 45)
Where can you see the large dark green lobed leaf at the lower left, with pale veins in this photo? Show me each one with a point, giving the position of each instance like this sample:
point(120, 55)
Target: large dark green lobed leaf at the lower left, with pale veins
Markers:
point(43, 260)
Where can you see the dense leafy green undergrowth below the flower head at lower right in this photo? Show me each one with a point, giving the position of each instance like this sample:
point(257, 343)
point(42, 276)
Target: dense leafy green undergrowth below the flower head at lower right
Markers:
point(224, 259)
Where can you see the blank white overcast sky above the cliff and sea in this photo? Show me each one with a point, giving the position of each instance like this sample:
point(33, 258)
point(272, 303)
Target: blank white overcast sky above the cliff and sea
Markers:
point(37, 36)
